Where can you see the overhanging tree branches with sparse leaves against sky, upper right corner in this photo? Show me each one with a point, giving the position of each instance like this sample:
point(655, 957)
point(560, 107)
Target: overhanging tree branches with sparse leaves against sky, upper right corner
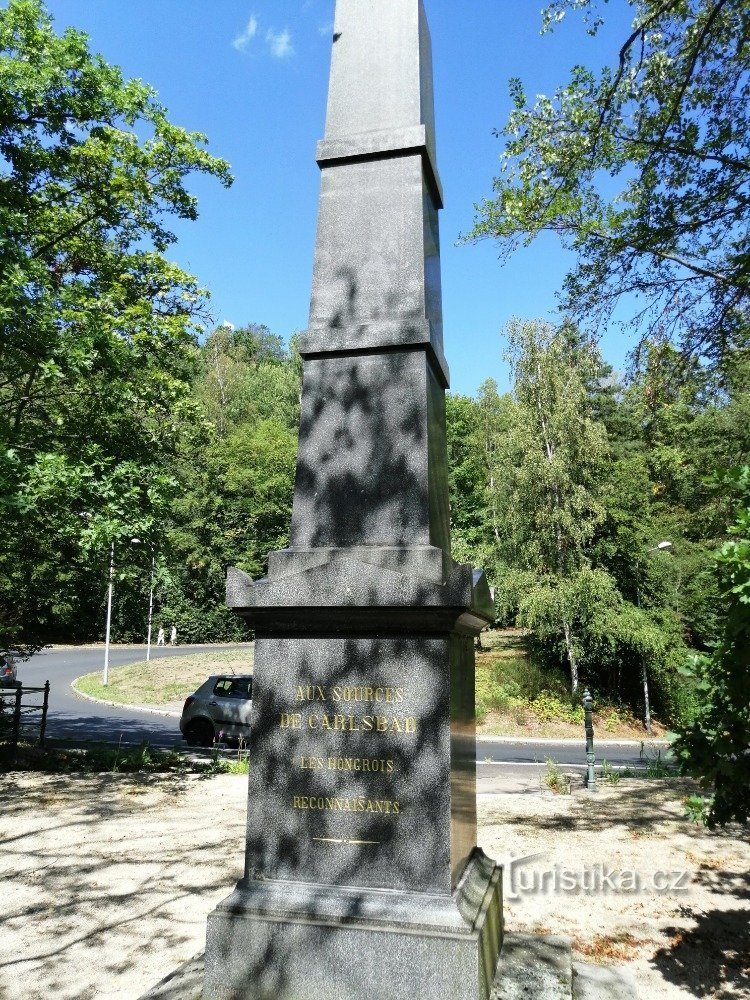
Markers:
point(643, 170)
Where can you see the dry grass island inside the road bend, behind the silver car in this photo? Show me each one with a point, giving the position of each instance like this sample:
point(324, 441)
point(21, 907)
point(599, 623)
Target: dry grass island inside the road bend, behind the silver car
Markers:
point(164, 681)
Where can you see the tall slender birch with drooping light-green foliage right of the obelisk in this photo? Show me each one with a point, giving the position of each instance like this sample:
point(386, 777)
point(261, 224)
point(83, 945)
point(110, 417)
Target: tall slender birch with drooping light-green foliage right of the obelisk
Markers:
point(549, 464)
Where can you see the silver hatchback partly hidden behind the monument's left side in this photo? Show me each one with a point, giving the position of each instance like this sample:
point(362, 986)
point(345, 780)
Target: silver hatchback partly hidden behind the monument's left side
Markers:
point(221, 704)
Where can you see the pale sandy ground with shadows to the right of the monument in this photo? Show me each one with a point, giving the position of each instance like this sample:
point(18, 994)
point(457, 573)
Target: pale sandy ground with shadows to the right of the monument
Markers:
point(677, 905)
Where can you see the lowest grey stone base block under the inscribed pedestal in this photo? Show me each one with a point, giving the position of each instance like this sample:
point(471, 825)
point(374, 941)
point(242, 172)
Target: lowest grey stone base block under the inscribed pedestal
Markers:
point(299, 941)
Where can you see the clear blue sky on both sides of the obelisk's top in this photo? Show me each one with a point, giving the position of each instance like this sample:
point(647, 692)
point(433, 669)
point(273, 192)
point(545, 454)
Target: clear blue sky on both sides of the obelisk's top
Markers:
point(253, 74)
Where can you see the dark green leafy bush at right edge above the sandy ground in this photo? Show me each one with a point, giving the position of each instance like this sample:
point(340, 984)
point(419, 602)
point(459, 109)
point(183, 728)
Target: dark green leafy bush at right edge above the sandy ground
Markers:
point(715, 747)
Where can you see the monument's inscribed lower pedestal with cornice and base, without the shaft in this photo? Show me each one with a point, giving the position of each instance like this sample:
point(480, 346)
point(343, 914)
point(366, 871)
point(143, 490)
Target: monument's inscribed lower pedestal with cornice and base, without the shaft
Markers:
point(362, 875)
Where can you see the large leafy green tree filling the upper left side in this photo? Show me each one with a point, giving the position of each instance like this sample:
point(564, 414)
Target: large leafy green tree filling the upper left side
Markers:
point(97, 326)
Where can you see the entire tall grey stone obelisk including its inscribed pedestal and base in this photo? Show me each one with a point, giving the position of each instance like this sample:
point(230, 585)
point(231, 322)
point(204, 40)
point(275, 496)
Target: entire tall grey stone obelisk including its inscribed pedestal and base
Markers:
point(362, 875)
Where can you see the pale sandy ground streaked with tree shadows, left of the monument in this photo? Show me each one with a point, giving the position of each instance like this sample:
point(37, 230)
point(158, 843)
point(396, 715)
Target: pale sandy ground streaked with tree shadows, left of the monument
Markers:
point(106, 876)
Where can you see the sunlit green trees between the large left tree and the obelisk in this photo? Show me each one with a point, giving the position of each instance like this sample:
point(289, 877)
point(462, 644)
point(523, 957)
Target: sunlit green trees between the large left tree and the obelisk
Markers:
point(234, 505)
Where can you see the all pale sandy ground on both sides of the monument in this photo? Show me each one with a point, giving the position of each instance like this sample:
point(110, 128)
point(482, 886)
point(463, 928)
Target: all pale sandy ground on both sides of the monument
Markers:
point(107, 880)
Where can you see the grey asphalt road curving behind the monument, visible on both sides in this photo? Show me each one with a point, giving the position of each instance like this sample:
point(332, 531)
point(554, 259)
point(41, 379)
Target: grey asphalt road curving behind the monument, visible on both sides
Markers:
point(73, 718)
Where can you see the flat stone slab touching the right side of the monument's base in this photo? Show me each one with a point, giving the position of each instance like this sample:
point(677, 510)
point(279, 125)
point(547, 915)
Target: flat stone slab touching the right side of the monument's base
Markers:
point(534, 967)
